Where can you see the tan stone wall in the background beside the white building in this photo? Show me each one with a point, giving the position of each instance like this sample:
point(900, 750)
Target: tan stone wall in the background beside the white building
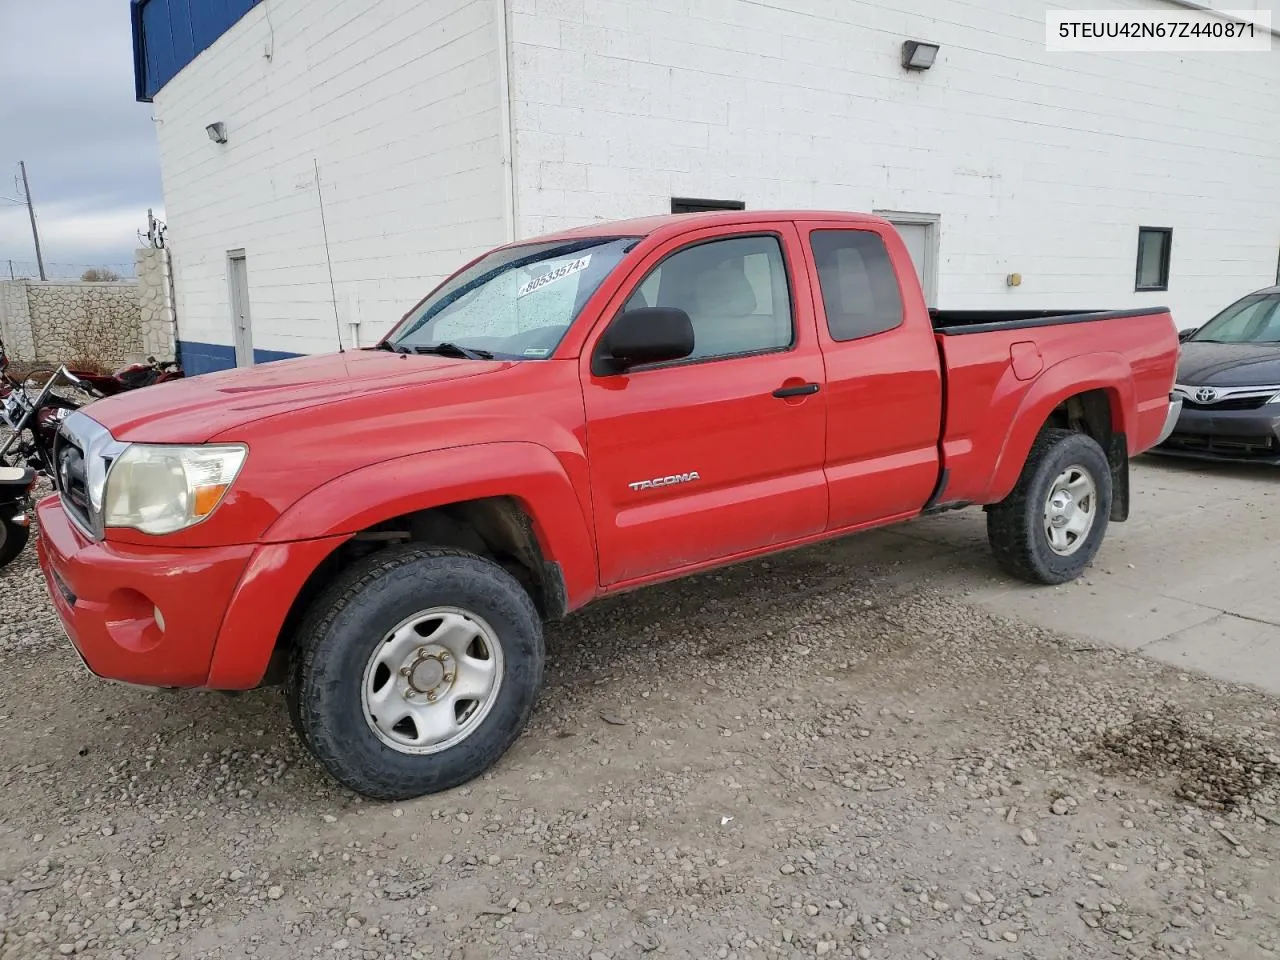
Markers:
point(106, 324)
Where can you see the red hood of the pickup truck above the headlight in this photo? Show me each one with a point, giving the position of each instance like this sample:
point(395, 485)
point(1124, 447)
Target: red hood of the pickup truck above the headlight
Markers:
point(198, 409)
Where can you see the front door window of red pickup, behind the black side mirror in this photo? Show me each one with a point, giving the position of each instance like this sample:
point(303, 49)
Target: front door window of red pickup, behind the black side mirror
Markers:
point(735, 292)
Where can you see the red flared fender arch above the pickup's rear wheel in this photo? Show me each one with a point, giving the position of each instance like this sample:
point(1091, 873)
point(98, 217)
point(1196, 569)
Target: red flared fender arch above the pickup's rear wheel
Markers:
point(1091, 372)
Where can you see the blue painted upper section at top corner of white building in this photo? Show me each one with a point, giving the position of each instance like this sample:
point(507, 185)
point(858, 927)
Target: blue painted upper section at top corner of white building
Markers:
point(171, 34)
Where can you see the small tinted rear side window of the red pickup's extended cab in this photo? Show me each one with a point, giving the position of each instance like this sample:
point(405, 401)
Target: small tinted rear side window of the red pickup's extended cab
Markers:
point(860, 285)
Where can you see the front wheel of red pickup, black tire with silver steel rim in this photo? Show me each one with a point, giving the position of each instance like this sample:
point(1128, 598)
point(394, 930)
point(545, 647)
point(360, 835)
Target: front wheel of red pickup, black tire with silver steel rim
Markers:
point(382, 642)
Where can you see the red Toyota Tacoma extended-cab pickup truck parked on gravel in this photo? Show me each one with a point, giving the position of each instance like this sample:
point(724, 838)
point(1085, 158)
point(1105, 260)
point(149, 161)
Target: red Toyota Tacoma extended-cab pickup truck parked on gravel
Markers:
point(385, 531)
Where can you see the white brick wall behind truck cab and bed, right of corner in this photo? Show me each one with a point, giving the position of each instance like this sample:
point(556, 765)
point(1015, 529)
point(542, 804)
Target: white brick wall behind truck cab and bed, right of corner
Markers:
point(1041, 164)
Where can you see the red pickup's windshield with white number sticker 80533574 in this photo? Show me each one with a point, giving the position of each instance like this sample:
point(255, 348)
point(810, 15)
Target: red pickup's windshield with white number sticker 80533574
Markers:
point(515, 304)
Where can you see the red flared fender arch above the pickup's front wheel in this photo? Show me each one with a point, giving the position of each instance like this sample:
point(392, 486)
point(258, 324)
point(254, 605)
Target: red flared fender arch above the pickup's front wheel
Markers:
point(528, 473)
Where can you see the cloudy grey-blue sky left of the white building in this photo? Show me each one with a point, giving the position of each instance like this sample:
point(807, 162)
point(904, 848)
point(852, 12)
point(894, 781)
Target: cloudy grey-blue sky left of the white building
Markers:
point(67, 108)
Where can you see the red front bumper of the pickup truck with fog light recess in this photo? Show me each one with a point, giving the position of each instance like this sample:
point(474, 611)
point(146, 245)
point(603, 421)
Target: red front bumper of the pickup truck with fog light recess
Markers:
point(157, 616)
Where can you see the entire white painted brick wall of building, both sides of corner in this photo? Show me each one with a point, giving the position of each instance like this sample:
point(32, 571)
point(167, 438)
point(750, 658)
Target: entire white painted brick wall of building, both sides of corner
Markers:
point(1039, 164)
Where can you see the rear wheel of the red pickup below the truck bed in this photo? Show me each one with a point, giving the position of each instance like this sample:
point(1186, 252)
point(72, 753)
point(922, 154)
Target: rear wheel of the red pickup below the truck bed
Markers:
point(1025, 528)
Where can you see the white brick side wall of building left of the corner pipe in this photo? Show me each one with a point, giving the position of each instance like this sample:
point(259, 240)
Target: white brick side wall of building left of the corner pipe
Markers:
point(399, 102)
